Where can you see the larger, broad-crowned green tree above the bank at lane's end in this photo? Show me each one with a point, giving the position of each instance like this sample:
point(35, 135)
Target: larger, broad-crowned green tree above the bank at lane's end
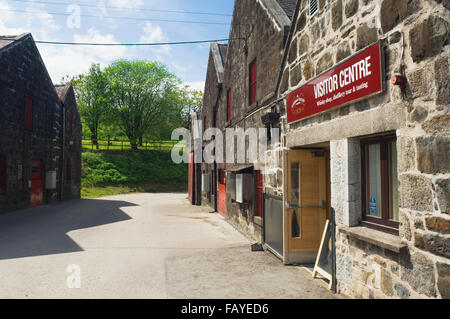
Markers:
point(143, 94)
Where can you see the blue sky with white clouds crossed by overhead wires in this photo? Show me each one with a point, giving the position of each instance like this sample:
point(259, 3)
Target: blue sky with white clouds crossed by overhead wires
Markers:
point(49, 20)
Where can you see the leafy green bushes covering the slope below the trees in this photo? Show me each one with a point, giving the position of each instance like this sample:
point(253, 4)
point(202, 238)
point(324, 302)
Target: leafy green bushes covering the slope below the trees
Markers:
point(126, 168)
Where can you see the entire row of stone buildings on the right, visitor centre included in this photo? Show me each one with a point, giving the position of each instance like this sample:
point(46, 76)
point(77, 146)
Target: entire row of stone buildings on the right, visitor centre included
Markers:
point(360, 92)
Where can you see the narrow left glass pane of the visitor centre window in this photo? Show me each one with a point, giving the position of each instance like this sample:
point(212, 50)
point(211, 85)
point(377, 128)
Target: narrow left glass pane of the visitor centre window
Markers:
point(374, 176)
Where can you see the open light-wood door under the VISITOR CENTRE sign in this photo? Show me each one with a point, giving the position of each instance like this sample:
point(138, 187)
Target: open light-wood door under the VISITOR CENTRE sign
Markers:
point(305, 204)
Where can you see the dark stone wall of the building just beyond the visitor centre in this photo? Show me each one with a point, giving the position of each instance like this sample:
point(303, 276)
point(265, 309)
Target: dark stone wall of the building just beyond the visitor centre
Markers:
point(266, 33)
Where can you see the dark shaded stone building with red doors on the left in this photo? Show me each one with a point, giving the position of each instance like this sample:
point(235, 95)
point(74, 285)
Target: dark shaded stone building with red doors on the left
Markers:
point(40, 130)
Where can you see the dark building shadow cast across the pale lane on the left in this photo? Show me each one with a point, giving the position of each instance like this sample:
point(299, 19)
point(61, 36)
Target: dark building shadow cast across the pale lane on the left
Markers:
point(43, 230)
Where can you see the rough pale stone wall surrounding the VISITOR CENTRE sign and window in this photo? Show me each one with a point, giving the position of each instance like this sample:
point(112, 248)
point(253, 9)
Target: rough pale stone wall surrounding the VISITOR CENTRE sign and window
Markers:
point(420, 119)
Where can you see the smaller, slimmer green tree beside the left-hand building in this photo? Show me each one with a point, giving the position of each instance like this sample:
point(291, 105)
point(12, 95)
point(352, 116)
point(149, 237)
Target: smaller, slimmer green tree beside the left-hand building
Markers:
point(93, 99)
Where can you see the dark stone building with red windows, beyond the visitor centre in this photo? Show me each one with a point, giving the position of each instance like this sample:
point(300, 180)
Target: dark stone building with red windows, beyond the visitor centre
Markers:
point(235, 95)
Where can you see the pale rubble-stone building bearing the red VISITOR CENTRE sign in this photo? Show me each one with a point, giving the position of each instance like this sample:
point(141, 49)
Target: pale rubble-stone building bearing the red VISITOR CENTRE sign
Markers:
point(386, 150)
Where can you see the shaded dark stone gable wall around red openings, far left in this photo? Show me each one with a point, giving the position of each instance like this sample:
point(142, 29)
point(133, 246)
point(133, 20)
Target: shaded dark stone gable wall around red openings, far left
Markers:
point(24, 75)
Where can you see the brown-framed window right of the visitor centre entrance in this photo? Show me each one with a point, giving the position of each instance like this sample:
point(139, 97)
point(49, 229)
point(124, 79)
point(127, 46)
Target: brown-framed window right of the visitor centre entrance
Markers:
point(380, 183)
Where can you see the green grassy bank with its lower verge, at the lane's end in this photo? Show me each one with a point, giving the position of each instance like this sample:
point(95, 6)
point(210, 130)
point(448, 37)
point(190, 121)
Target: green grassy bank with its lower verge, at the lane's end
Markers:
point(114, 173)
